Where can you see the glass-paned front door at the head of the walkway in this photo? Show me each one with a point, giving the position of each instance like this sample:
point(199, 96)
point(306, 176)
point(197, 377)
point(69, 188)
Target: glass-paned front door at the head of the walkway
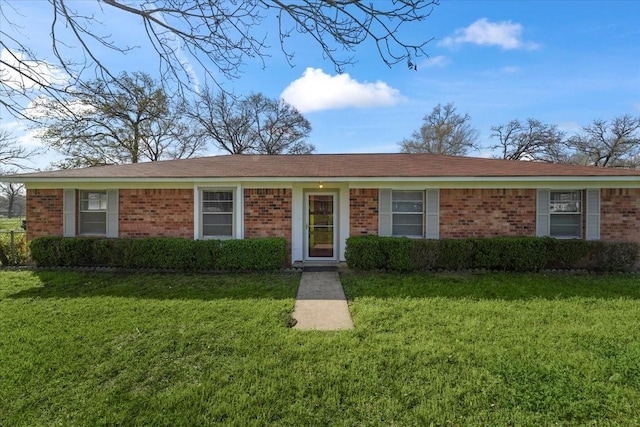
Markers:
point(320, 226)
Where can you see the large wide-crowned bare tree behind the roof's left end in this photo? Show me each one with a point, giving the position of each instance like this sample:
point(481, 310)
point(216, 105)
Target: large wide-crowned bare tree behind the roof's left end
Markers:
point(125, 120)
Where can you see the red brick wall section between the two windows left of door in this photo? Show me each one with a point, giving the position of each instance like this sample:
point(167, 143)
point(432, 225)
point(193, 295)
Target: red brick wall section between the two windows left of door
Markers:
point(156, 212)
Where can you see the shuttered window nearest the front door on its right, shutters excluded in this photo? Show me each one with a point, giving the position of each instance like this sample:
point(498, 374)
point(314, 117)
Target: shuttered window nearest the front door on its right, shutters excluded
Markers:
point(407, 209)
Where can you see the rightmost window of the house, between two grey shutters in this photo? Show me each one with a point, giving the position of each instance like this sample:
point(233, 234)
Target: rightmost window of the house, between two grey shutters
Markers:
point(565, 214)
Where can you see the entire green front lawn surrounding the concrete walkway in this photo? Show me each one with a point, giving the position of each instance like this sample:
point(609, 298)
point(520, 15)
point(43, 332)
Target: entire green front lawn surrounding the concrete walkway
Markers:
point(109, 349)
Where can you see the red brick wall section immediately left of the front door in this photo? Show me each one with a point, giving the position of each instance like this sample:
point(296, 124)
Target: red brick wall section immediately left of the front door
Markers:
point(267, 213)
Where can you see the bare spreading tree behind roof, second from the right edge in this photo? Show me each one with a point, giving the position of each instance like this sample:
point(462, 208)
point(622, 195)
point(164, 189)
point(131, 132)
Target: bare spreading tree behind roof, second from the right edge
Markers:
point(529, 140)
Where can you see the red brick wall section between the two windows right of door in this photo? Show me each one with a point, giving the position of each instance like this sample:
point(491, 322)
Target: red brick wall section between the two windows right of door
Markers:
point(487, 212)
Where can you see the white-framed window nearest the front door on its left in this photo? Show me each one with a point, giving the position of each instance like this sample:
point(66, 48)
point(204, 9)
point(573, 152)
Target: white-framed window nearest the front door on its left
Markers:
point(217, 214)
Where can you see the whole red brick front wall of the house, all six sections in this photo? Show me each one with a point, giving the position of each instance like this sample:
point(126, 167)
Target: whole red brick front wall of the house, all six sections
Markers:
point(268, 213)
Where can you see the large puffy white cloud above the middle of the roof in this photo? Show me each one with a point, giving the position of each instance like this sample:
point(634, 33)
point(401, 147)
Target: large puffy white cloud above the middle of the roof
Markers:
point(316, 91)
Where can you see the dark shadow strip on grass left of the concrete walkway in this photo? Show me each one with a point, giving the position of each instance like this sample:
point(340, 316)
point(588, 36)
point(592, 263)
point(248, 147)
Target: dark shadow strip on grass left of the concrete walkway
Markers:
point(65, 284)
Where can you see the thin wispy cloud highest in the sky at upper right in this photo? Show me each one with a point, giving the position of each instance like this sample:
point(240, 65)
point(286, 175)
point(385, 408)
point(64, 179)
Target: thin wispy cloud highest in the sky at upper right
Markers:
point(505, 34)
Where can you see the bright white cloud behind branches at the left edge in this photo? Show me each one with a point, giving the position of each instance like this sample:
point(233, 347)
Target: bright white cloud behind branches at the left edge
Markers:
point(24, 74)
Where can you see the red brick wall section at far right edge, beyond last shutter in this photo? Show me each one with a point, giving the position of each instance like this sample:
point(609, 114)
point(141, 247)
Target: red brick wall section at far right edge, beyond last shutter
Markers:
point(620, 214)
